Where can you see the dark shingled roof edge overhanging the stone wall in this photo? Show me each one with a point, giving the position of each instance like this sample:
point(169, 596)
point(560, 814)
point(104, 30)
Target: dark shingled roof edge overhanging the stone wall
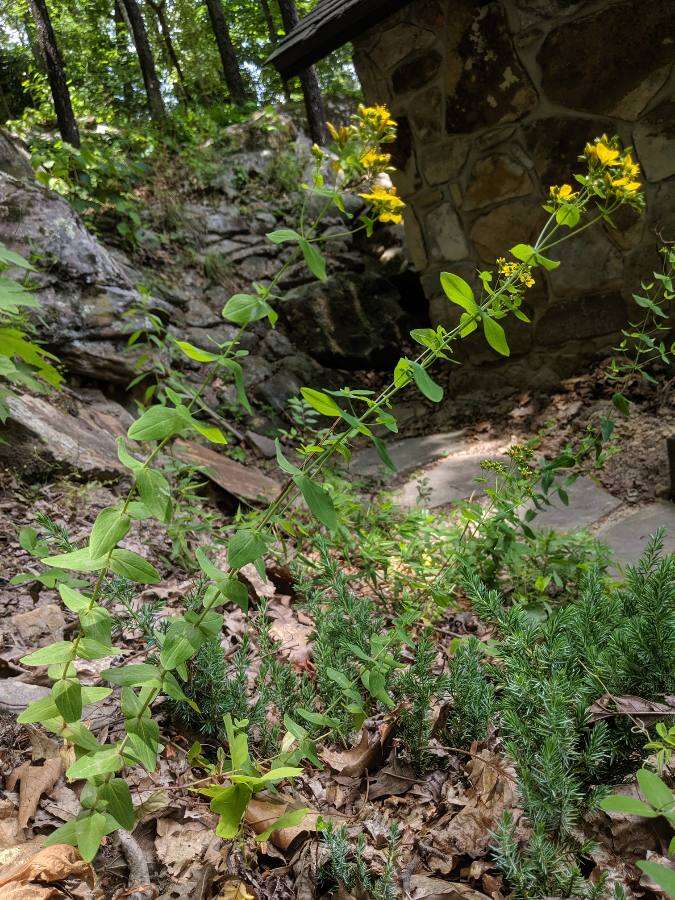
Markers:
point(330, 24)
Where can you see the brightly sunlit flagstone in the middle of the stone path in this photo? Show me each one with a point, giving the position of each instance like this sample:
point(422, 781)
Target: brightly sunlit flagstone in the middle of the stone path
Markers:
point(448, 481)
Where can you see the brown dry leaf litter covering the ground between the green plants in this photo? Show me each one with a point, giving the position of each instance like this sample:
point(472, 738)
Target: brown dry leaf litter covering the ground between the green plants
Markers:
point(446, 811)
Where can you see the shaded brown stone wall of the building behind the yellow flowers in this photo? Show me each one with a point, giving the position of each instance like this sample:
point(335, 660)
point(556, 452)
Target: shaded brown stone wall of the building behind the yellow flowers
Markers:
point(494, 102)
